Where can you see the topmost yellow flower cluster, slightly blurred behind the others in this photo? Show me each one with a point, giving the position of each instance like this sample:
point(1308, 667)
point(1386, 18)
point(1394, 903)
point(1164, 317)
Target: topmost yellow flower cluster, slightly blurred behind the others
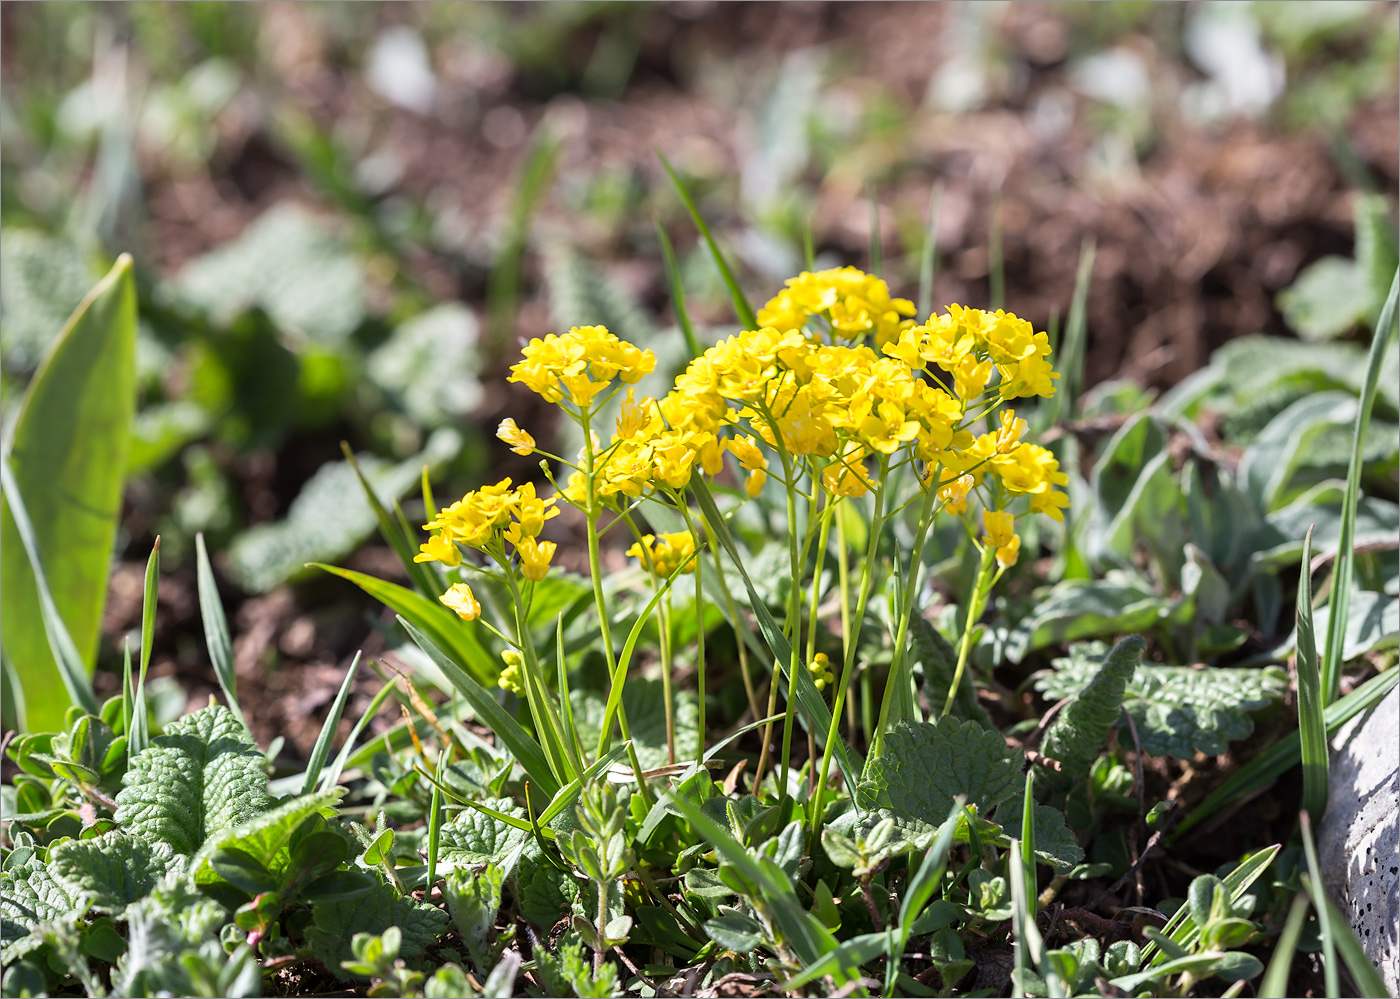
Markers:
point(856, 306)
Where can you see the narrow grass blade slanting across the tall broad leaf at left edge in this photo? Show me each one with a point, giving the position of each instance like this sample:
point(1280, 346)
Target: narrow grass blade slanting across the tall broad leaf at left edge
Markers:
point(64, 653)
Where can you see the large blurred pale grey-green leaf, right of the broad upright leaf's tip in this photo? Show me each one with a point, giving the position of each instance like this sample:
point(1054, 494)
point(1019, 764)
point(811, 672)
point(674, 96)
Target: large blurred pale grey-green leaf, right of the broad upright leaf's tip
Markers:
point(288, 265)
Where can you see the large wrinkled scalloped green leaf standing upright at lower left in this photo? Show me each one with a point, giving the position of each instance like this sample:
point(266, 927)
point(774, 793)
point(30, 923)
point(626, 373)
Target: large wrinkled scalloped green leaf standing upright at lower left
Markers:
point(202, 776)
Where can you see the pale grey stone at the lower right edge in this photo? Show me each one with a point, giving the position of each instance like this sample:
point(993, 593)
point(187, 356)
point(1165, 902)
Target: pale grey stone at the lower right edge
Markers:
point(1360, 840)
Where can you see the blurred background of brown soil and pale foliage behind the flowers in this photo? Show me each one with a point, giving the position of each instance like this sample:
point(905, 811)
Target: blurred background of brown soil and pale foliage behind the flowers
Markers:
point(345, 216)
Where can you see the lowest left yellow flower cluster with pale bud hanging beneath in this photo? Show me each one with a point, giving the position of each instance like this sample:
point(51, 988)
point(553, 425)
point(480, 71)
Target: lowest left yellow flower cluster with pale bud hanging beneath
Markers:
point(486, 520)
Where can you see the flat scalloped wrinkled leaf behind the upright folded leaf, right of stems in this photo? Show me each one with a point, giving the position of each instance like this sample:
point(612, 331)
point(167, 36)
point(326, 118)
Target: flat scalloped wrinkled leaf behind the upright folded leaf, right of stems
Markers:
point(1178, 710)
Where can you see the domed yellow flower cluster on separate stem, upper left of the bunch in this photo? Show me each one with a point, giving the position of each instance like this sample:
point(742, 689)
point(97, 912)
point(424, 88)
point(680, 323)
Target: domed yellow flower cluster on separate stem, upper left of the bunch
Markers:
point(580, 364)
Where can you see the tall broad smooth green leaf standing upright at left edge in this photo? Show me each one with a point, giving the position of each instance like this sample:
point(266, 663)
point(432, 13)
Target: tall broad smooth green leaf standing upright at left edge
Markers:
point(68, 455)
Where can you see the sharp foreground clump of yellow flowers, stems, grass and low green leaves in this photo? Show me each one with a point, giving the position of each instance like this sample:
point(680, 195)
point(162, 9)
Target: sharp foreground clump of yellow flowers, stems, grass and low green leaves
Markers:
point(793, 748)
